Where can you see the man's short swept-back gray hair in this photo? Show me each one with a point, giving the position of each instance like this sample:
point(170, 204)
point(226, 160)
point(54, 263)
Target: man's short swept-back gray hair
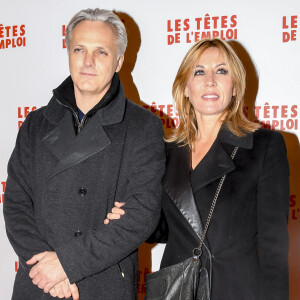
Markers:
point(102, 15)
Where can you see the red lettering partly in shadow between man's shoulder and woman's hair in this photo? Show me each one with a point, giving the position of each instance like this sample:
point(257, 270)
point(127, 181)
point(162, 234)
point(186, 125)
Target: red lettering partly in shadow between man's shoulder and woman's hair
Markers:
point(166, 112)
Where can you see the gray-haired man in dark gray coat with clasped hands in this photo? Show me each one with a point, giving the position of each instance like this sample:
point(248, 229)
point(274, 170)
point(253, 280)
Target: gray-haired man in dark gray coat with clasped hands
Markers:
point(88, 148)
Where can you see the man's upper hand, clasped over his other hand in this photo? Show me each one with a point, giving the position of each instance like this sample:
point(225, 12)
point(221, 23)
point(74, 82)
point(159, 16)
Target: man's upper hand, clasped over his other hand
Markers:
point(47, 272)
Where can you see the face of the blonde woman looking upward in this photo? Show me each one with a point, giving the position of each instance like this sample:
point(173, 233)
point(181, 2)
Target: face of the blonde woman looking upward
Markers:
point(210, 87)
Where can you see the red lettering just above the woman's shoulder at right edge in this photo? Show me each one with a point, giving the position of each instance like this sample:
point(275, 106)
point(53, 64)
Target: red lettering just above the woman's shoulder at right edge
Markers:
point(277, 117)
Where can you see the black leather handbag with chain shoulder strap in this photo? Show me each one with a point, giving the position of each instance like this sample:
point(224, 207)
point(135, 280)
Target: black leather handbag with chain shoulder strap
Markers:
point(187, 280)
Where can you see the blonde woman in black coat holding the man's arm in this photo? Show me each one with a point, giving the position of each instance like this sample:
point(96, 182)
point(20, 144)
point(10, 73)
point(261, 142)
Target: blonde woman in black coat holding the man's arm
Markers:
point(246, 246)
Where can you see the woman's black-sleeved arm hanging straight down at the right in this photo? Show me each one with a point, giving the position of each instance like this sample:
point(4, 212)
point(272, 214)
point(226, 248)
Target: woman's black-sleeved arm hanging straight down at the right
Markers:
point(272, 219)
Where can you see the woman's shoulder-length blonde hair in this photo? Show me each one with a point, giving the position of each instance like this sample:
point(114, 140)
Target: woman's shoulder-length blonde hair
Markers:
point(233, 116)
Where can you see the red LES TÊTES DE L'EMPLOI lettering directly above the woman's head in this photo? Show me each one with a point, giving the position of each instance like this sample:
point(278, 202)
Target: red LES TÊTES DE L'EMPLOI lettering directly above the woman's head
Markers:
point(192, 30)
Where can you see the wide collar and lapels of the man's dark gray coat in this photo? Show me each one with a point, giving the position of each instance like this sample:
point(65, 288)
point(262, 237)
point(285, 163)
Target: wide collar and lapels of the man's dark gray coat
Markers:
point(70, 148)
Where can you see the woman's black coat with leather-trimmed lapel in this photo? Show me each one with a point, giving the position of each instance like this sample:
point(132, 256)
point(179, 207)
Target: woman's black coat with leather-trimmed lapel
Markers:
point(247, 239)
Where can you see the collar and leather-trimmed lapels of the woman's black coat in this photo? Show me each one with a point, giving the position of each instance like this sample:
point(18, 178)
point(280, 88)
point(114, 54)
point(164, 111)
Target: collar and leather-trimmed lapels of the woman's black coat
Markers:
point(218, 162)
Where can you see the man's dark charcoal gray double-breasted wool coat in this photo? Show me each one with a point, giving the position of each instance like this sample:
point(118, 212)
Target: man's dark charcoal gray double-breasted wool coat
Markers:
point(61, 185)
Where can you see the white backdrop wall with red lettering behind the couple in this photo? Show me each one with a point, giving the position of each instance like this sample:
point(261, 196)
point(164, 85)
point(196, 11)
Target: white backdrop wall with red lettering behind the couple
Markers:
point(265, 34)
